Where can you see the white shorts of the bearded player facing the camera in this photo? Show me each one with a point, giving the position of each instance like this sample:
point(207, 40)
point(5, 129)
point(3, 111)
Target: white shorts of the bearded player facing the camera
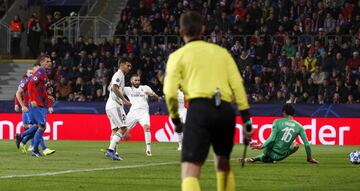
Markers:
point(137, 116)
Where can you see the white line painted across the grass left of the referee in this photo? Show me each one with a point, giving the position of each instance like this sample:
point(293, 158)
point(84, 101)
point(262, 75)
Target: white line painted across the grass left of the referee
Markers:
point(86, 170)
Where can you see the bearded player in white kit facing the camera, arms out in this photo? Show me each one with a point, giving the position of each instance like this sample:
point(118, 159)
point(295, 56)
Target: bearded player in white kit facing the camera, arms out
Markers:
point(139, 111)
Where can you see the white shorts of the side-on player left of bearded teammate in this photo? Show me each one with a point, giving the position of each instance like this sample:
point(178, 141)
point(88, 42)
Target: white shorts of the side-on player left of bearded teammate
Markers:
point(117, 117)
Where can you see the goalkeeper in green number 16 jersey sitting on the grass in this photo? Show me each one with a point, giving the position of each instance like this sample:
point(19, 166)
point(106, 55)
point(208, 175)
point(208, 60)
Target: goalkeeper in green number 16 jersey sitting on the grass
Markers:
point(281, 143)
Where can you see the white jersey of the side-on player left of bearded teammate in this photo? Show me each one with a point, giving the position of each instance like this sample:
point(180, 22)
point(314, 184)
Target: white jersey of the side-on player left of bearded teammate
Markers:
point(113, 101)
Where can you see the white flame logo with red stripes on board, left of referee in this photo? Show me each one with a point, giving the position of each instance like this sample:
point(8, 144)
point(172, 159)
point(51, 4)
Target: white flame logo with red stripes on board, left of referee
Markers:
point(166, 133)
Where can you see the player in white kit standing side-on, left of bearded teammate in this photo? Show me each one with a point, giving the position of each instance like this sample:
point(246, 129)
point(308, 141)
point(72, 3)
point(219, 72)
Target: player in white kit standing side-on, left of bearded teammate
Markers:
point(115, 107)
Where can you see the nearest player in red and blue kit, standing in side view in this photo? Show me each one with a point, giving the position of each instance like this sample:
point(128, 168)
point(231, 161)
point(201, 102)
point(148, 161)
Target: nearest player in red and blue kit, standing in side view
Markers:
point(39, 100)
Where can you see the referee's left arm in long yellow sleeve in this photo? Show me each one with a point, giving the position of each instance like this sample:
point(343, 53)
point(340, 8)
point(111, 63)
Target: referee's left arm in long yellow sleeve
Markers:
point(171, 85)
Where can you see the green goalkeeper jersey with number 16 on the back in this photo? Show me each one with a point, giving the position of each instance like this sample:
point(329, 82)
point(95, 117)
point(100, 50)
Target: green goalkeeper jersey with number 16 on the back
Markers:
point(284, 132)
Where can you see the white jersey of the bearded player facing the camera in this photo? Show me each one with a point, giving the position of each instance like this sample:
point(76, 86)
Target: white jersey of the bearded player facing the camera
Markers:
point(138, 96)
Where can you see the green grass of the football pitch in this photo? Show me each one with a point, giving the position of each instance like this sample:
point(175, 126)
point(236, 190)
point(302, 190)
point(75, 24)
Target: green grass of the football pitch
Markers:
point(334, 173)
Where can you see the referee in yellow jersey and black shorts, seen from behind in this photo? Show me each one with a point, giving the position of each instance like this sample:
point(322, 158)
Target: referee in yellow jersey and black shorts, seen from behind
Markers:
point(210, 80)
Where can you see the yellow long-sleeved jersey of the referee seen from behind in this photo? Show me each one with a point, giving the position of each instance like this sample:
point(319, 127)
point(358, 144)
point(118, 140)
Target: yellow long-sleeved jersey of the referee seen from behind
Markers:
point(199, 68)
